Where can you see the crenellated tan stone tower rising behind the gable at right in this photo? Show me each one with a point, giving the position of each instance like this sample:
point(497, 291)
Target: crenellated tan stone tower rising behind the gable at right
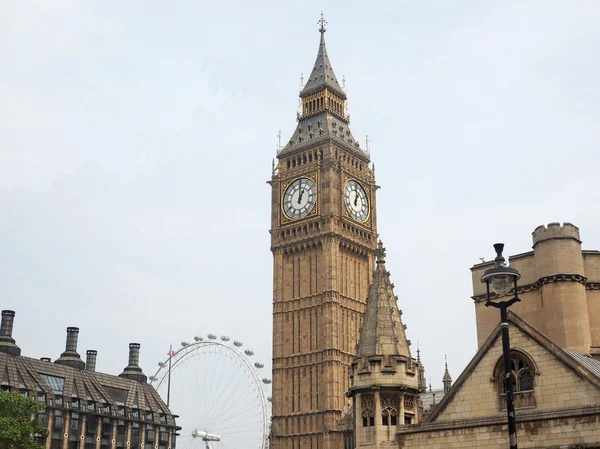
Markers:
point(559, 290)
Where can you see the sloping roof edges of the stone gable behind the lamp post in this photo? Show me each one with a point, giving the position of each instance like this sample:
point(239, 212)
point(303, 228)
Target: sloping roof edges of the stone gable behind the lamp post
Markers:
point(584, 366)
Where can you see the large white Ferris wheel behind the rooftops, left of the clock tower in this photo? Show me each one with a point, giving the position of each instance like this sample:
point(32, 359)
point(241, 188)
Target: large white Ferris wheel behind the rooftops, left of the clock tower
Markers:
point(219, 393)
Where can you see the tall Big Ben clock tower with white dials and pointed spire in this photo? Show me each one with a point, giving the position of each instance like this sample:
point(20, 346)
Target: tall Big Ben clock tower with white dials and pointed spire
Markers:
point(323, 238)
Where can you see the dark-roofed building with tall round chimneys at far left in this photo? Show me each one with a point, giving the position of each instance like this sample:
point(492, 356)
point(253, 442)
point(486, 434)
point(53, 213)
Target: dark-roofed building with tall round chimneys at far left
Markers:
point(86, 409)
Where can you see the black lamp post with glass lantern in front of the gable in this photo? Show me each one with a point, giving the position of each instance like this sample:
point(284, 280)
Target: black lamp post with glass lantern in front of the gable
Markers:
point(501, 280)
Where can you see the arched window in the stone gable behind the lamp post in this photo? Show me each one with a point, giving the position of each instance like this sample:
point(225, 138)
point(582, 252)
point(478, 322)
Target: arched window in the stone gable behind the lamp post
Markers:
point(523, 372)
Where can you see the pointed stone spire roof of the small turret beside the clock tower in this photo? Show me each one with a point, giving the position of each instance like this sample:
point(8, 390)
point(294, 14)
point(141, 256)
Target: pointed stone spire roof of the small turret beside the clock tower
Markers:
point(382, 334)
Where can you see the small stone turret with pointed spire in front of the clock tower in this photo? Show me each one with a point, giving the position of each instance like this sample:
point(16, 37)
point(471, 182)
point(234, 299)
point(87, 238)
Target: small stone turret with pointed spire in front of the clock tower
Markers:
point(385, 378)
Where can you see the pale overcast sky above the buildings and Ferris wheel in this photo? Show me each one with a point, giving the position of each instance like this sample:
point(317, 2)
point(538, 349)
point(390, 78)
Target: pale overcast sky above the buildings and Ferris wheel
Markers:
point(136, 140)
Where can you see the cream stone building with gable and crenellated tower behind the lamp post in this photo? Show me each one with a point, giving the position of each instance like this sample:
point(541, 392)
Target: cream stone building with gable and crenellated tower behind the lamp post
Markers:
point(556, 378)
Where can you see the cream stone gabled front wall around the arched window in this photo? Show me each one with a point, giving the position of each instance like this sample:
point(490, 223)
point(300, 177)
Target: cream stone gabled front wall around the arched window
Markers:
point(562, 407)
